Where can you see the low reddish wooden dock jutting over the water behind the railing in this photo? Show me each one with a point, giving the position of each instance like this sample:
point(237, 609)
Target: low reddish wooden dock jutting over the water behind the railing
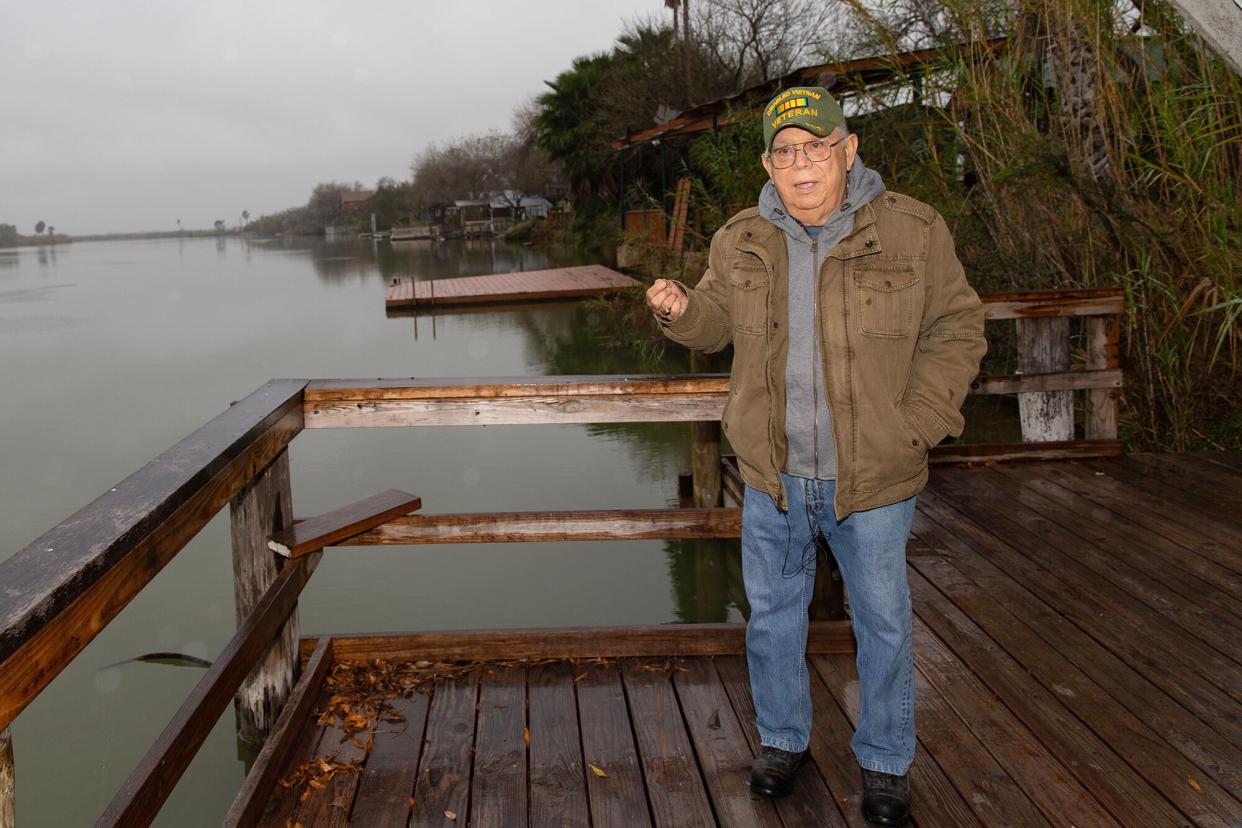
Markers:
point(530, 286)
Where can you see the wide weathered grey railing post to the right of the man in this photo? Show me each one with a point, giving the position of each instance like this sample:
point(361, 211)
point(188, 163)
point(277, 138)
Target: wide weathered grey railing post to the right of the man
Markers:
point(1044, 348)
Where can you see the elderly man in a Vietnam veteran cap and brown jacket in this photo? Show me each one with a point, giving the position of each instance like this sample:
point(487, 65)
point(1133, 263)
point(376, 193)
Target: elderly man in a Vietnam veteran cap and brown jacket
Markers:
point(855, 338)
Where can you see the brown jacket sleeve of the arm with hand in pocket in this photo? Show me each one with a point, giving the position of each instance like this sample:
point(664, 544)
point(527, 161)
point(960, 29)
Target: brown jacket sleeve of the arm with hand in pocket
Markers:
point(951, 343)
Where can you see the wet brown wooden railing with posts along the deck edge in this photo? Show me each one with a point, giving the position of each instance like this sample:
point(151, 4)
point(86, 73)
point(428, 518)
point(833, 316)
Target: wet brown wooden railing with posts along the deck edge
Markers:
point(66, 587)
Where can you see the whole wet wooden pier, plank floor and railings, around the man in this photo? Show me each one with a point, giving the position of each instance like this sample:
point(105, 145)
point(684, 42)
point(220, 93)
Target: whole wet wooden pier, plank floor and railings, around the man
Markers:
point(1079, 644)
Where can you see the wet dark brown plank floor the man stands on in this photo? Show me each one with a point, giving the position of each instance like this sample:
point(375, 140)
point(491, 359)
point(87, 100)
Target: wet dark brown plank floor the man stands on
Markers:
point(1079, 649)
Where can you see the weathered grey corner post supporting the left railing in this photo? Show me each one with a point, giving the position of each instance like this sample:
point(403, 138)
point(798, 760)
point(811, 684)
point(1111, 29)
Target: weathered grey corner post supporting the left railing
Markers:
point(263, 508)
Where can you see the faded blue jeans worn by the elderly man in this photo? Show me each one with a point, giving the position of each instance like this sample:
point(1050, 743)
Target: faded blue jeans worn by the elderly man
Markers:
point(778, 565)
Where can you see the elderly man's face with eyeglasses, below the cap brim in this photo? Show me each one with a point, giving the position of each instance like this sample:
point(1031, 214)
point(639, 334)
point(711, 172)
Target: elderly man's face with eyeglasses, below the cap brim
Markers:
point(812, 191)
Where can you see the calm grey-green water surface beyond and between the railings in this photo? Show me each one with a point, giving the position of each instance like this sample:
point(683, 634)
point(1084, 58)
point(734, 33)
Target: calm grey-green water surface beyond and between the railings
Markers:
point(112, 352)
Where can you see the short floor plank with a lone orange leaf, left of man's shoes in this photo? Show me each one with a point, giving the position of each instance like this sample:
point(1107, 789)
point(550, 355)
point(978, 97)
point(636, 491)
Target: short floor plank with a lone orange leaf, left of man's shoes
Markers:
point(614, 775)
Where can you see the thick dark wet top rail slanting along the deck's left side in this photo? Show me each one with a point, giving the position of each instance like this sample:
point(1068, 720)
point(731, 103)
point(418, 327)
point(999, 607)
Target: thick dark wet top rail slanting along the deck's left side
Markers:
point(63, 589)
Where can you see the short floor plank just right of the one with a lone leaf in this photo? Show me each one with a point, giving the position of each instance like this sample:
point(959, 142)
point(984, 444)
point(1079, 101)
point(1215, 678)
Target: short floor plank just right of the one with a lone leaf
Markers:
point(675, 786)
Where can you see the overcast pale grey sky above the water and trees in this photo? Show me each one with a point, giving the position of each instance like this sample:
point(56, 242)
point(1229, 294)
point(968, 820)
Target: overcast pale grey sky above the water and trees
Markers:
point(126, 116)
